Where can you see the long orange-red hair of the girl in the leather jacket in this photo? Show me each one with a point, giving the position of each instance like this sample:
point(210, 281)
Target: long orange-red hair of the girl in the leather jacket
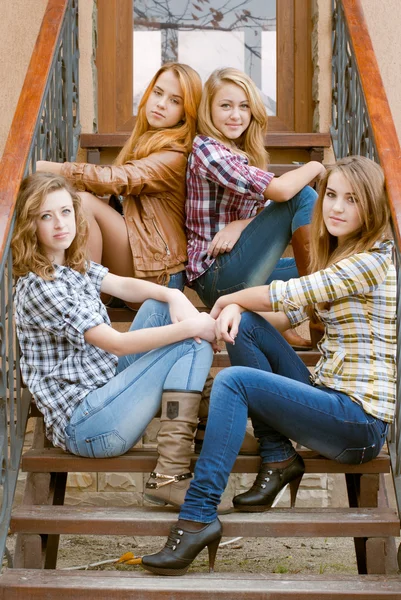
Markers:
point(143, 140)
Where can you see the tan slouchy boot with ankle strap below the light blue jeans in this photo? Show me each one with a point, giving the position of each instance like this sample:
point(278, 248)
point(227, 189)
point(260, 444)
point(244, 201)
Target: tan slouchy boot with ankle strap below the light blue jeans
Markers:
point(169, 482)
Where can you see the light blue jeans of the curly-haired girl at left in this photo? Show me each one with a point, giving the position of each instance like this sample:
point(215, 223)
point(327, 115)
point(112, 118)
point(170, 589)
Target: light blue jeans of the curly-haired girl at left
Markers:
point(111, 419)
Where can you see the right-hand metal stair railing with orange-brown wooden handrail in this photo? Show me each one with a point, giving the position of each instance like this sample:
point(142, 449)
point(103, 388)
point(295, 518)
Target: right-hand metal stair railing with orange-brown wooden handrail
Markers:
point(362, 124)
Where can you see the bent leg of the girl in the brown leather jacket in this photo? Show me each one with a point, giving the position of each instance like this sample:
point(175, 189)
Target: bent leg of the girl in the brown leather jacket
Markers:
point(108, 236)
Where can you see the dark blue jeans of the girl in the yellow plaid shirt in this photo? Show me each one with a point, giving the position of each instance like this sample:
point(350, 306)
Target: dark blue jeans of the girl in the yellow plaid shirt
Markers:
point(275, 390)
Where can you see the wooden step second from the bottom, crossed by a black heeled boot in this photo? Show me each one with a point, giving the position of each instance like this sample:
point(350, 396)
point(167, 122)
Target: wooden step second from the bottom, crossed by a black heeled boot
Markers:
point(145, 521)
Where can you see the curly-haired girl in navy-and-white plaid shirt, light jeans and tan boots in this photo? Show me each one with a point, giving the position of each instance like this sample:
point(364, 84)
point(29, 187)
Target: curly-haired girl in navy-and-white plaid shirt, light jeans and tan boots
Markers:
point(96, 387)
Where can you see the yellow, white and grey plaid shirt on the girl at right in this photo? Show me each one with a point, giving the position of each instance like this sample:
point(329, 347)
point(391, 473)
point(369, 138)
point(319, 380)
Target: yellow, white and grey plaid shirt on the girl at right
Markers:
point(359, 345)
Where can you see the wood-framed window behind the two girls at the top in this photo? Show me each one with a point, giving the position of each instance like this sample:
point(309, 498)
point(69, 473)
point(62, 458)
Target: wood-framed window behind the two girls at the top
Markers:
point(268, 39)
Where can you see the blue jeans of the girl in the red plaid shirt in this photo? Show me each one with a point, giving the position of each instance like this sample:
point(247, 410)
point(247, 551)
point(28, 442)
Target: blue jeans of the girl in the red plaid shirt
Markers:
point(255, 258)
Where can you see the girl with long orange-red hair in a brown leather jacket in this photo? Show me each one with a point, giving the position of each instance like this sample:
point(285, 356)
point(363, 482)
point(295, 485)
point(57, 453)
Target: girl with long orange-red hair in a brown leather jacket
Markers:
point(148, 241)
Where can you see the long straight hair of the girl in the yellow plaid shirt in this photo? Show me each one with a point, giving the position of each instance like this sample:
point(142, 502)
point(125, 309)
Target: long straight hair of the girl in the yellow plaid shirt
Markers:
point(366, 179)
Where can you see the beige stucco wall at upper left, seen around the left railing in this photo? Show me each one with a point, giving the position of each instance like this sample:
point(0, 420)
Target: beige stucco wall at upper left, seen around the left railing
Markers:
point(20, 22)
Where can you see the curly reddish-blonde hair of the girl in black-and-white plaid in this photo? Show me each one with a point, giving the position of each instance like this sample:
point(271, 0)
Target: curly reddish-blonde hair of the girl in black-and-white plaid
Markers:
point(27, 253)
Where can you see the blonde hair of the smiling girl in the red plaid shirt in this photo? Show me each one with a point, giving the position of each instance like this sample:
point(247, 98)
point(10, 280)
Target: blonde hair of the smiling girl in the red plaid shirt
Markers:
point(252, 142)
